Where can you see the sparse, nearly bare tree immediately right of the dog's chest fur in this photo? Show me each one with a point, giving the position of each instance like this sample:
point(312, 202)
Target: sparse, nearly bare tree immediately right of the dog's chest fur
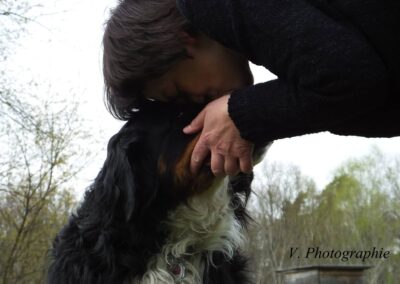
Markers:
point(279, 197)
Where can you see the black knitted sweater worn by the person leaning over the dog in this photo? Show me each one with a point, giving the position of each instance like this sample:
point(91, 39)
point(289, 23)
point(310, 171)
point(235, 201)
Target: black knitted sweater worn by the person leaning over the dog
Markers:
point(337, 62)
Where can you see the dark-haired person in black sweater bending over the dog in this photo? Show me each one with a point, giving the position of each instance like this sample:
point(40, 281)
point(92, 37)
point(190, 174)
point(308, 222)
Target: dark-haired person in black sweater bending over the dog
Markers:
point(337, 65)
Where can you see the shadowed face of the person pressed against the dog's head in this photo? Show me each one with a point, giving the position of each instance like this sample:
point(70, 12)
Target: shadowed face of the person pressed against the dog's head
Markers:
point(211, 71)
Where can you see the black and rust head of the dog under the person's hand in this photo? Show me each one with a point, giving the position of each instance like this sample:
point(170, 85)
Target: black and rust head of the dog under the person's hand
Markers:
point(148, 160)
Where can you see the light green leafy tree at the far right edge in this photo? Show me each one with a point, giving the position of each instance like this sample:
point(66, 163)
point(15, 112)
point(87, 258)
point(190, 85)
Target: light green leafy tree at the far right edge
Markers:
point(365, 191)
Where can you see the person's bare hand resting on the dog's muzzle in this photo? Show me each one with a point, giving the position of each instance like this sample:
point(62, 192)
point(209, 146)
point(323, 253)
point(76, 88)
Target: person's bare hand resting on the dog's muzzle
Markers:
point(230, 153)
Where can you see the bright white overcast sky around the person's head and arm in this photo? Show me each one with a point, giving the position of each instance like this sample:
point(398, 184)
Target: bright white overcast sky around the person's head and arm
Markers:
point(63, 48)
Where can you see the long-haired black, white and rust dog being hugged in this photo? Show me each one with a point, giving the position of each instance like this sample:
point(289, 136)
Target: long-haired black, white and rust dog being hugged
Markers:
point(147, 219)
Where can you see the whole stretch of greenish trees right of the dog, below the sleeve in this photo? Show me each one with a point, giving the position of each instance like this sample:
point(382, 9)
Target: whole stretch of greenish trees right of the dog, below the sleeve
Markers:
point(358, 210)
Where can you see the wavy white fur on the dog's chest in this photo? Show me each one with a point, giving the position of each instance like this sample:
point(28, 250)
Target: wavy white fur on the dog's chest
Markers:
point(204, 225)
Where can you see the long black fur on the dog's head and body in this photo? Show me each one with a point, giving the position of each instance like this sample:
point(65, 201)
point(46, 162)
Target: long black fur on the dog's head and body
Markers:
point(118, 227)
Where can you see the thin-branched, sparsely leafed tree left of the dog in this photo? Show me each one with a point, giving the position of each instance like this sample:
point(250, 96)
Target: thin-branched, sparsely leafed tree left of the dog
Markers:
point(41, 151)
